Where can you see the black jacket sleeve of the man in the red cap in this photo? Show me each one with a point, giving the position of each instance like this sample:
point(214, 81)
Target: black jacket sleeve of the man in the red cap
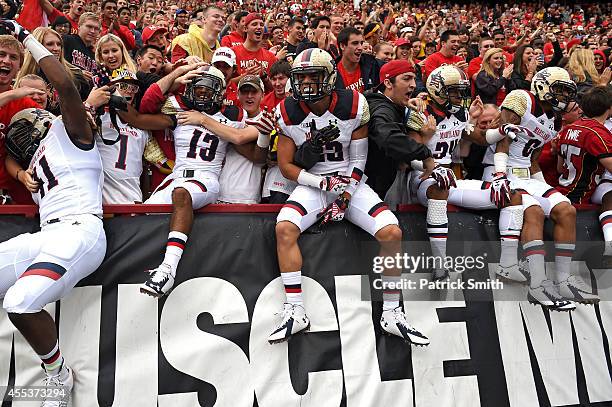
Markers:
point(391, 138)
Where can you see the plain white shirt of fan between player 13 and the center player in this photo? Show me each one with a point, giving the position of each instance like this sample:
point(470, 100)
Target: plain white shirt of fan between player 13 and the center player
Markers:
point(240, 179)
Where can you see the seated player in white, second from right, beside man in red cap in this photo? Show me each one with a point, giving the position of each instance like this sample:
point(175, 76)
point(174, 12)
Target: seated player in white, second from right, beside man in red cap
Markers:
point(449, 91)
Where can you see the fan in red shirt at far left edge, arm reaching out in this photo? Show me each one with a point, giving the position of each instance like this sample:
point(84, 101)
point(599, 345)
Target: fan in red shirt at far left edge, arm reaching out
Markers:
point(11, 102)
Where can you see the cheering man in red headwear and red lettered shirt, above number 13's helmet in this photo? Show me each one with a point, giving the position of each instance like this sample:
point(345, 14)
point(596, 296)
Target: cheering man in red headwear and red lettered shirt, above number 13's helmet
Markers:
point(251, 58)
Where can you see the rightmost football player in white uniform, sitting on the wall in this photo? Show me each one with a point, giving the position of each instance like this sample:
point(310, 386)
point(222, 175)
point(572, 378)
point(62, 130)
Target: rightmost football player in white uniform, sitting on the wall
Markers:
point(536, 112)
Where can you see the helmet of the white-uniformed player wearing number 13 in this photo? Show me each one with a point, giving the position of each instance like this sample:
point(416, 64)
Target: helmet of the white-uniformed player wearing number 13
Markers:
point(205, 92)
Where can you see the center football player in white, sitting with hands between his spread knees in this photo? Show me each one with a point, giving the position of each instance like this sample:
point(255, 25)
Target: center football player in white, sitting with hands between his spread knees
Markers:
point(332, 189)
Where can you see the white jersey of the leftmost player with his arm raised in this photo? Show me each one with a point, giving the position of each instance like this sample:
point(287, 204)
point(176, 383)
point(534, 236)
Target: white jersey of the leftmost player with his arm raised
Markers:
point(70, 177)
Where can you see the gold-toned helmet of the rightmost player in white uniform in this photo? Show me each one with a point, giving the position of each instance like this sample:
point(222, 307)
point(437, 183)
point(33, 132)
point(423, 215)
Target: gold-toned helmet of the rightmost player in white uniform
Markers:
point(554, 85)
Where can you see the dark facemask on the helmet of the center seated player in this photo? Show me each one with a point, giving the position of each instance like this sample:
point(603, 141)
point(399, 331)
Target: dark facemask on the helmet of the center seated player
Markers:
point(316, 88)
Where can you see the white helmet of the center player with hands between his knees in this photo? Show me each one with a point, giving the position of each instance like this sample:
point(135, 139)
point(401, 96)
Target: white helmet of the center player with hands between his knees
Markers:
point(313, 75)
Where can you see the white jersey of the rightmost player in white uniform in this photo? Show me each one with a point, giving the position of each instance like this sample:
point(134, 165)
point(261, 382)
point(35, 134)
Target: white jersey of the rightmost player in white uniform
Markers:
point(540, 129)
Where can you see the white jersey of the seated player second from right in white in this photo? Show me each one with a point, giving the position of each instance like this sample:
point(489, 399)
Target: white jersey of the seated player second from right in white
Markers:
point(449, 131)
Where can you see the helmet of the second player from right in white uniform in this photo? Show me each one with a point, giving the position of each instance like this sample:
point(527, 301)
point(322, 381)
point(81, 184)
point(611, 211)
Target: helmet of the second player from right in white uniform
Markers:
point(449, 87)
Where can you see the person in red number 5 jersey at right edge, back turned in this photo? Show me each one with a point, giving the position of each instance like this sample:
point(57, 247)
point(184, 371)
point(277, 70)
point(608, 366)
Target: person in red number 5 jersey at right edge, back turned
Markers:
point(585, 148)
